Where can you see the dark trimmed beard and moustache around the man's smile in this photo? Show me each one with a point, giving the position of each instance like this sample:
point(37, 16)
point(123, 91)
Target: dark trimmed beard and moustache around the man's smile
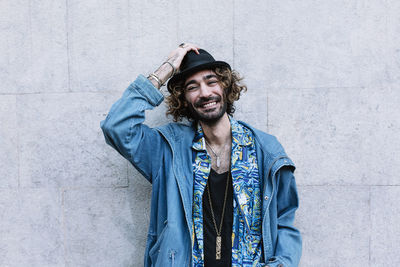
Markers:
point(211, 116)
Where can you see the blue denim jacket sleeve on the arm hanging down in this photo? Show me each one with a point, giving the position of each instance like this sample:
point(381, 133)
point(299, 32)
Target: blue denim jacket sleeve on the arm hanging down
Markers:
point(289, 244)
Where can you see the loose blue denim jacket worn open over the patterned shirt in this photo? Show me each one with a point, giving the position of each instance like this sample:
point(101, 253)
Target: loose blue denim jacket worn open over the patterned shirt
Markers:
point(163, 155)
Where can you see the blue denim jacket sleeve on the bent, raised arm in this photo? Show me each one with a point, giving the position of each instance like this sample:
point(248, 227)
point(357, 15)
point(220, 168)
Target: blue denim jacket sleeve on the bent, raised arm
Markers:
point(124, 130)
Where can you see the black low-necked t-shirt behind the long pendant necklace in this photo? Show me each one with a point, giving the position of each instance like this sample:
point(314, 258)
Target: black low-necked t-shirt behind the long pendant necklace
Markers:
point(217, 185)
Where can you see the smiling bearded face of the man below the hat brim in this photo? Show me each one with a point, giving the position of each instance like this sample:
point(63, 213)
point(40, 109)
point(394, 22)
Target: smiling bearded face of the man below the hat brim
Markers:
point(205, 96)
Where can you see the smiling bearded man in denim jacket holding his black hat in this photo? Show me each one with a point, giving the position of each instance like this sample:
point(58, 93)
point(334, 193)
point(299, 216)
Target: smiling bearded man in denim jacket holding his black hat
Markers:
point(223, 193)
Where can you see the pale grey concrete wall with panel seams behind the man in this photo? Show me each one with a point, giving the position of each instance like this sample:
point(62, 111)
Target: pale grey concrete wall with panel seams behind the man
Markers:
point(323, 76)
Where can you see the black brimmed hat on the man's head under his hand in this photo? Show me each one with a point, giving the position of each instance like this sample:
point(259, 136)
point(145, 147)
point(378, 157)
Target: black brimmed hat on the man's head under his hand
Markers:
point(193, 62)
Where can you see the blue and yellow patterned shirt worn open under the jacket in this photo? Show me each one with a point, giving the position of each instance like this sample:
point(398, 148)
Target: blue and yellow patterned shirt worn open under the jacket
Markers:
point(247, 204)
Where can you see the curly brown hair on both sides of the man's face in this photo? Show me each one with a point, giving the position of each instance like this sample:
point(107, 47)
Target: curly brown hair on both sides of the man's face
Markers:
point(230, 80)
